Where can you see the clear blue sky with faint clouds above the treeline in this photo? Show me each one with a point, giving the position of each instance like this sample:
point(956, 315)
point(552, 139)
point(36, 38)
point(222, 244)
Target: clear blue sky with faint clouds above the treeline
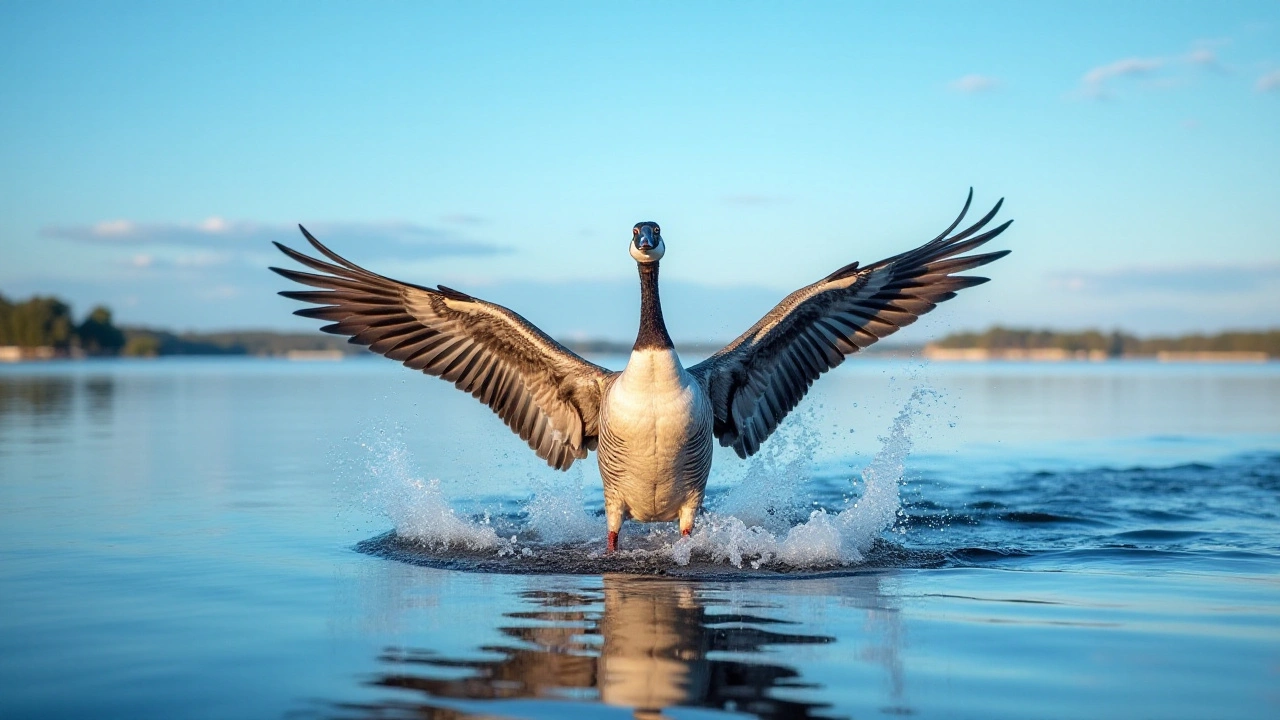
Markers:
point(150, 153)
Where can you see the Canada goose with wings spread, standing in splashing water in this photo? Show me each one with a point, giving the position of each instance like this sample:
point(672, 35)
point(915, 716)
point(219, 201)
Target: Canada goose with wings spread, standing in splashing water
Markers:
point(653, 423)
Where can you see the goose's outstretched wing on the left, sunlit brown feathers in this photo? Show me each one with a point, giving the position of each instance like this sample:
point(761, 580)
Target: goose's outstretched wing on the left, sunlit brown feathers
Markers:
point(550, 397)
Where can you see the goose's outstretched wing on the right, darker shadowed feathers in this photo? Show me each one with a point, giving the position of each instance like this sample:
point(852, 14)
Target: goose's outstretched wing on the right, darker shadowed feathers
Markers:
point(758, 379)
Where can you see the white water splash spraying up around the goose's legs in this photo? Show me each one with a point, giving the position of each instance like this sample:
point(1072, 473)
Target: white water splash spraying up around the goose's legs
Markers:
point(761, 523)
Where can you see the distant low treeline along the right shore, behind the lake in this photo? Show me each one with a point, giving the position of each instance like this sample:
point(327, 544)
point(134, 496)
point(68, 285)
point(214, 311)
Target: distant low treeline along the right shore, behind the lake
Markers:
point(1116, 344)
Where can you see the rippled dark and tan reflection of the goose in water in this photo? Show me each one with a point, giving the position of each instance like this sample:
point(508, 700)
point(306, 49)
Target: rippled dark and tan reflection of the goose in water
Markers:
point(651, 649)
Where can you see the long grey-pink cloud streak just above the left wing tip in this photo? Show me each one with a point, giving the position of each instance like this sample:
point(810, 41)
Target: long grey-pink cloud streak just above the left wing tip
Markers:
point(220, 234)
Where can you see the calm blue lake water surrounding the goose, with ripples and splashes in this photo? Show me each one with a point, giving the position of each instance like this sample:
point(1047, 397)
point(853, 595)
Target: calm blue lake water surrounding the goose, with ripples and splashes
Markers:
point(258, 539)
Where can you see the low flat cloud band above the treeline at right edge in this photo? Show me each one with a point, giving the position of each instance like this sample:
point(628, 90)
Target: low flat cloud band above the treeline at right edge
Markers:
point(1185, 280)
